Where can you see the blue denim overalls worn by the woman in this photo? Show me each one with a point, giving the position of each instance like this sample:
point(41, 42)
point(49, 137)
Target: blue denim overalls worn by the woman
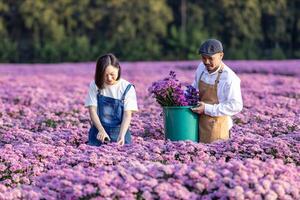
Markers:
point(110, 112)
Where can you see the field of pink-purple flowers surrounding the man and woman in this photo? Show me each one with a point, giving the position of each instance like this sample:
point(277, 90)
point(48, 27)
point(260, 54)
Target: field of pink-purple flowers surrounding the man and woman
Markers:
point(44, 125)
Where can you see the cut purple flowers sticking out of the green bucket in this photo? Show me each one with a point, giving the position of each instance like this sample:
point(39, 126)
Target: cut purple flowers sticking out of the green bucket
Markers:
point(170, 92)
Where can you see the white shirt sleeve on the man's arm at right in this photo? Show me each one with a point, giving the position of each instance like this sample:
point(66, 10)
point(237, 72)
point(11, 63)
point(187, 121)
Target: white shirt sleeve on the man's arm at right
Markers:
point(233, 103)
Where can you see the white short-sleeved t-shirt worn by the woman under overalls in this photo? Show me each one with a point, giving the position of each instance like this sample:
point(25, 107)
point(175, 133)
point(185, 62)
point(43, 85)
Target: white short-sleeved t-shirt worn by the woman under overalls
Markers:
point(114, 91)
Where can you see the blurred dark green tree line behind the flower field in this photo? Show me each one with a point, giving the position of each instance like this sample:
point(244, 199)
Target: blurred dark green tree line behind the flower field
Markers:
point(81, 30)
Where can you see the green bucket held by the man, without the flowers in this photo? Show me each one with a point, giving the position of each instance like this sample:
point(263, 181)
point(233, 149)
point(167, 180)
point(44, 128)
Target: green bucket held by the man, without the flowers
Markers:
point(180, 123)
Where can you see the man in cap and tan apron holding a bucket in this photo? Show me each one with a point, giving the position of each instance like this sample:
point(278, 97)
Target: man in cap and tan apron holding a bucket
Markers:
point(220, 93)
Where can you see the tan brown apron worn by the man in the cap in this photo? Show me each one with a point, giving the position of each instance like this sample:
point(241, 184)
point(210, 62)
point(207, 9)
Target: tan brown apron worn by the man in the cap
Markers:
point(211, 128)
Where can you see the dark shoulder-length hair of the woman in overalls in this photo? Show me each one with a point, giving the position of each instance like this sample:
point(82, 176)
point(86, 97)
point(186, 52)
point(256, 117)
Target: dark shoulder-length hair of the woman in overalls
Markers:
point(102, 62)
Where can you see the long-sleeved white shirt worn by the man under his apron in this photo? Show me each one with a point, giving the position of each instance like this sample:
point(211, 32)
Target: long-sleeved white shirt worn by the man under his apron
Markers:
point(229, 92)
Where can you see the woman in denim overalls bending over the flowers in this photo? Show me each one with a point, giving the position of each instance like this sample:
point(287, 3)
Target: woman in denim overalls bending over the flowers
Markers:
point(110, 101)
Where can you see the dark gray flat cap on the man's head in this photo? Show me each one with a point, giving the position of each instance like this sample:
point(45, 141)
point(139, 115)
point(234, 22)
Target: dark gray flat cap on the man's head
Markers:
point(210, 47)
